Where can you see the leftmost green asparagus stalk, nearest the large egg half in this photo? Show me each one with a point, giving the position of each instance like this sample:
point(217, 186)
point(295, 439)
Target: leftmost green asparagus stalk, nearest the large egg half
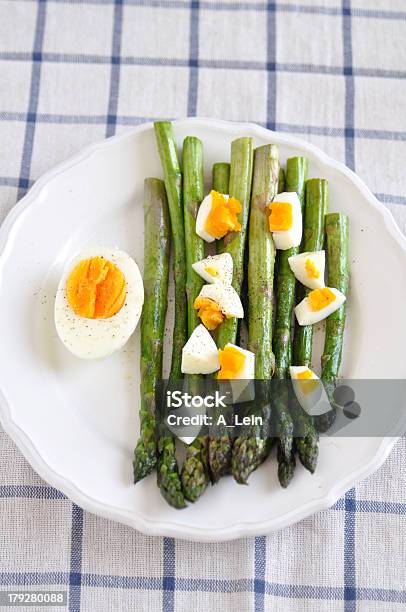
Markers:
point(156, 270)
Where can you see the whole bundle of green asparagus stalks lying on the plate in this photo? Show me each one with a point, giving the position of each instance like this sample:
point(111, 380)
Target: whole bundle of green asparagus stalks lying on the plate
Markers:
point(170, 208)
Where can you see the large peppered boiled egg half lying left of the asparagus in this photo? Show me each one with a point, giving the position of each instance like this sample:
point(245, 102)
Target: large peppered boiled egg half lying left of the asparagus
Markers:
point(98, 302)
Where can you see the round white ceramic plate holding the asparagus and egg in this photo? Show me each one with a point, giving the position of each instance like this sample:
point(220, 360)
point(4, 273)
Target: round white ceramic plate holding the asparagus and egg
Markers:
point(76, 422)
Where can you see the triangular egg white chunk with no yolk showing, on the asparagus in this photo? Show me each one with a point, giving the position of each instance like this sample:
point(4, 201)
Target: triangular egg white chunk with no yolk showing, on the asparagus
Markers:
point(200, 354)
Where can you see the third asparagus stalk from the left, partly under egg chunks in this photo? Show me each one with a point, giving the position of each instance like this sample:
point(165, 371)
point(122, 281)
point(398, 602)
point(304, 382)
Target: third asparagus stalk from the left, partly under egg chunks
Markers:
point(194, 475)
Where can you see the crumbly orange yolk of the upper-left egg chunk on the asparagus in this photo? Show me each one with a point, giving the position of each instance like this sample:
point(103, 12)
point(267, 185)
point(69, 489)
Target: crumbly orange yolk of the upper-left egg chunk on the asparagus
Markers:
point(222, 217)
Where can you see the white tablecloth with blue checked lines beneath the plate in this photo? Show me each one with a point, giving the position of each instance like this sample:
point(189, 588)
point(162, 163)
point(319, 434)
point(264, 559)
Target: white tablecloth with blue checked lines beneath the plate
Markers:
point(330, 71)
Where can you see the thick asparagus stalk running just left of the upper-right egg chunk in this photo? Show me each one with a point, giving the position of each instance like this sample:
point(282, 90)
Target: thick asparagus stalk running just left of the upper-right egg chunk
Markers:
point(250, 449)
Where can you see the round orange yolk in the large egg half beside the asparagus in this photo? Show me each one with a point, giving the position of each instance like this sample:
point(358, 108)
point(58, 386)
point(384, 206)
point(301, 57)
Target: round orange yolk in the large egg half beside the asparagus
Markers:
point(96, 289)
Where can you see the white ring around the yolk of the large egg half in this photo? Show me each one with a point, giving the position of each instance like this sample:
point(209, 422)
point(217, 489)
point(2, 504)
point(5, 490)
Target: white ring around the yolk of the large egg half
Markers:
point(95, 338)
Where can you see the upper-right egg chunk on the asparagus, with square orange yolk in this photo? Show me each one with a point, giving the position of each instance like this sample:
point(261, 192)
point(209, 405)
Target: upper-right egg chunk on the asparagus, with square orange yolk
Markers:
point(285, 220)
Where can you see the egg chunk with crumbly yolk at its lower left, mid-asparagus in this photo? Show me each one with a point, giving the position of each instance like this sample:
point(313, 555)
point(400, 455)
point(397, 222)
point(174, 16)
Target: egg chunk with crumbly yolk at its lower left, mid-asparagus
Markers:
point(216, 302)
